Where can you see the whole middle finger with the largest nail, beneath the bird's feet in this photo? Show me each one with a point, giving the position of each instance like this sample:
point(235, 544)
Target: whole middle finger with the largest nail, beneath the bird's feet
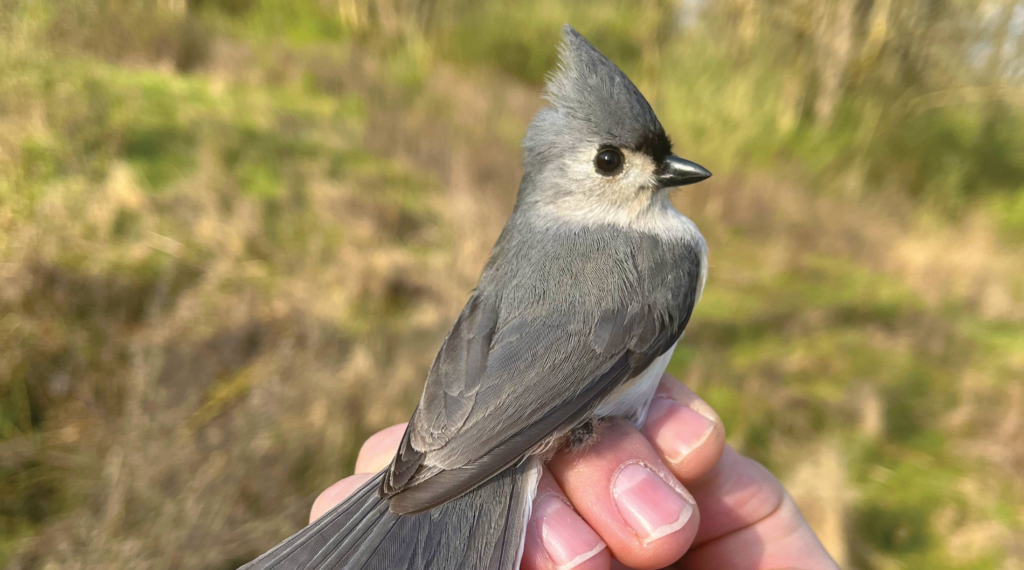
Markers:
point(629, 497)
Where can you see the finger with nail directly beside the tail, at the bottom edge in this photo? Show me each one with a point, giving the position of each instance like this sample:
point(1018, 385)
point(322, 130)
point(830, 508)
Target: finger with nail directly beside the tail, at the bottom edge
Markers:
point(558, 539)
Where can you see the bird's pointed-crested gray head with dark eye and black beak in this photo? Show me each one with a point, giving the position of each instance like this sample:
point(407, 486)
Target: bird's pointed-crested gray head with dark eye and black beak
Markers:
point(599, 149)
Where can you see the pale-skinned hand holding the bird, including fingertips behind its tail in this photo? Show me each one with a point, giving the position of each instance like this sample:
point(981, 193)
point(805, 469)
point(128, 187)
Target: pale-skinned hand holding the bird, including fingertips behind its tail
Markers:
point(671, 496)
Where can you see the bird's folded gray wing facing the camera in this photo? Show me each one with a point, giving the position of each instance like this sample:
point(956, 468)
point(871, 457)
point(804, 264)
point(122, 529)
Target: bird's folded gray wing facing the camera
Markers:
point(495, 392)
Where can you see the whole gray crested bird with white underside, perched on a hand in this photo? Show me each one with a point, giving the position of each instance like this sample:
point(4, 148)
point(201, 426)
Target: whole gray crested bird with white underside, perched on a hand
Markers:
point(579, 310)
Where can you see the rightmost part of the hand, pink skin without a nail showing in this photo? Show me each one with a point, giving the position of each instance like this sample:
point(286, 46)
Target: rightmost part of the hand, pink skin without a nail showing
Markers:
point(749, 522)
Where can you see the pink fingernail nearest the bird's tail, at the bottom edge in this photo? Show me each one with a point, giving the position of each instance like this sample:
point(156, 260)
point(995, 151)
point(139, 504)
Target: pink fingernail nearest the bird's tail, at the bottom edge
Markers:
point(569, 541)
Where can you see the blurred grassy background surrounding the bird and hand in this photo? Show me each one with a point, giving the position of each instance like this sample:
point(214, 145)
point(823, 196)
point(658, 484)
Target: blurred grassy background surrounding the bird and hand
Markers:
point(234, 234)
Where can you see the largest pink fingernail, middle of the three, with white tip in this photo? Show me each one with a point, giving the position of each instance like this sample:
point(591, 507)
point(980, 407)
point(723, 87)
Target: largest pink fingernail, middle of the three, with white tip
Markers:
point(651, 507)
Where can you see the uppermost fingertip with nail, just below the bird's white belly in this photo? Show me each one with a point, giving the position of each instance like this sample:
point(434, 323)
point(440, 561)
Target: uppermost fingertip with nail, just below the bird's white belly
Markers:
point(686, 431)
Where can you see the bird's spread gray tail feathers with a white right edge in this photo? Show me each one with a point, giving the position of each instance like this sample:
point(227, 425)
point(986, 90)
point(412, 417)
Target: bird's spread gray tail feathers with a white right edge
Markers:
point(483, 530)
